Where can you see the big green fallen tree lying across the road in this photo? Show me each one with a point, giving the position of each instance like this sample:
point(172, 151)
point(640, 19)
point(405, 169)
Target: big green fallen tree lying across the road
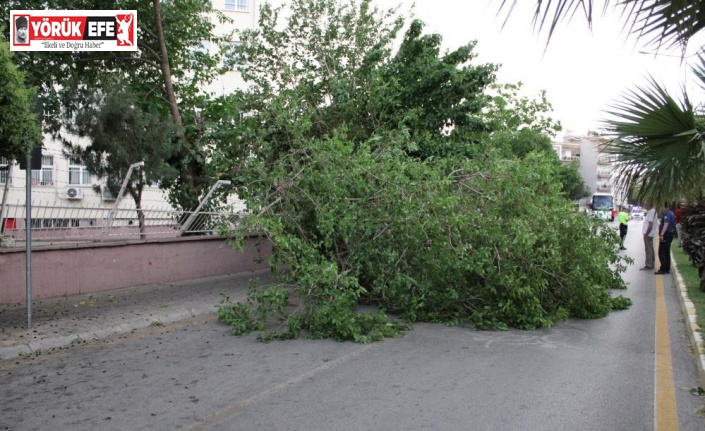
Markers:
point(490, 243)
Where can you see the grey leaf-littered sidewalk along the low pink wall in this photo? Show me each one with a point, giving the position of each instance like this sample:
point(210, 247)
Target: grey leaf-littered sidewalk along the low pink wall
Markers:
point(59, 322)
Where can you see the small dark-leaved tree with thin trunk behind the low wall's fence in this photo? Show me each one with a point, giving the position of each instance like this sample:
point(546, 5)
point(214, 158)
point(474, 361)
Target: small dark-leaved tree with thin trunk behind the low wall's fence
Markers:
point(121, 134)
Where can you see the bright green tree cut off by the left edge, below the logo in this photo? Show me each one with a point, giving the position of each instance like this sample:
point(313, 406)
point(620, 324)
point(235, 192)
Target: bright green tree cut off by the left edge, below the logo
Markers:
point(19, 129)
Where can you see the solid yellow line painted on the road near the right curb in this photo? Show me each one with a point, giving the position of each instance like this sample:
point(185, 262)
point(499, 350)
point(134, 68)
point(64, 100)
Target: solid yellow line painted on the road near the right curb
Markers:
point(664, 392)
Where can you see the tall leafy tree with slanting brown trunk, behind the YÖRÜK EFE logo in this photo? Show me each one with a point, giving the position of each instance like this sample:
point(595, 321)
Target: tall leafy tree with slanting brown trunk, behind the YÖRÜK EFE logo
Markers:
point(166, 81)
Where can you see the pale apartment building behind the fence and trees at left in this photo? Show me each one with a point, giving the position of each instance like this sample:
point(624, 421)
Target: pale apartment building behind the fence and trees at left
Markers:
point(65, 183)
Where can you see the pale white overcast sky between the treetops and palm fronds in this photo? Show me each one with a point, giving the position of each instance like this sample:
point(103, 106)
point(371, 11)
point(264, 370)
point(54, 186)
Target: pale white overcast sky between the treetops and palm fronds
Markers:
point(583, 71)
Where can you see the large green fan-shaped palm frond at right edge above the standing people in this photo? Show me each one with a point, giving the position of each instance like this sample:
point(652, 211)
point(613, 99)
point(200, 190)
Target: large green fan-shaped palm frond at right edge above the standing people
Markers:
point(659, 143)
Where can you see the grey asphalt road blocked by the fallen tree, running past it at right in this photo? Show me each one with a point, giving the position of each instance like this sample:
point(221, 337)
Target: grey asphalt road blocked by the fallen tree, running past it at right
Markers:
point(580, 375)
